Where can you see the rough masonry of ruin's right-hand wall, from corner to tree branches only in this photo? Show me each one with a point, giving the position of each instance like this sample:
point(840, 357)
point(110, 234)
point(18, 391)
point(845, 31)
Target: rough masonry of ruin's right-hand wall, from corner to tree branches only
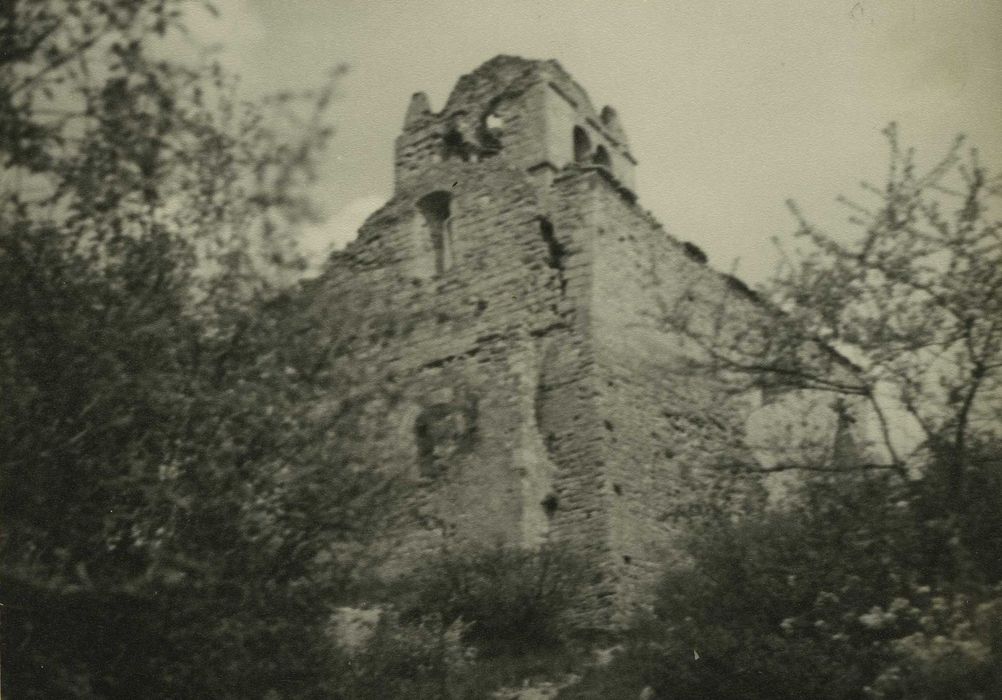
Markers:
point(664, 426)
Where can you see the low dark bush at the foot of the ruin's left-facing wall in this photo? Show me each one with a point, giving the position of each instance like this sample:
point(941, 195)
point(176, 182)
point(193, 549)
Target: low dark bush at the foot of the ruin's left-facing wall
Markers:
point(472, 620)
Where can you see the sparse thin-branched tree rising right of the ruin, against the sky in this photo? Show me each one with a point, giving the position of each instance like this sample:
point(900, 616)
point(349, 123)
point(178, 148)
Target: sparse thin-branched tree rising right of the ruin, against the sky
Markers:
point(911, 293)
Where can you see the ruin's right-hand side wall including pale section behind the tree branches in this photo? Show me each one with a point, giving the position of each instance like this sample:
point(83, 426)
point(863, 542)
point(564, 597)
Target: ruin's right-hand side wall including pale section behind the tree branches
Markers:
point(679, 445)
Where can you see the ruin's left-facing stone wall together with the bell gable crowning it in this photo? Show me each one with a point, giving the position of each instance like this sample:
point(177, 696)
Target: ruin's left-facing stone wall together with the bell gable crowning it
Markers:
point(469, 297)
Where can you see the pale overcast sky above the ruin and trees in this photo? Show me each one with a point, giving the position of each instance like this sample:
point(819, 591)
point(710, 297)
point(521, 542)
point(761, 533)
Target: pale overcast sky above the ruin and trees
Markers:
point(731, 108)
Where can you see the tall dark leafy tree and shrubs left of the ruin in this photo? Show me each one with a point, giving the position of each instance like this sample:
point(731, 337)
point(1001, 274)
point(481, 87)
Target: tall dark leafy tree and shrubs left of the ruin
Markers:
point(168, 501)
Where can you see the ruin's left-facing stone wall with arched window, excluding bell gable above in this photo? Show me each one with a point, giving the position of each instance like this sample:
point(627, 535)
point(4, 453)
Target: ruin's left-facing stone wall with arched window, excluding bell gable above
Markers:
point(477, 394)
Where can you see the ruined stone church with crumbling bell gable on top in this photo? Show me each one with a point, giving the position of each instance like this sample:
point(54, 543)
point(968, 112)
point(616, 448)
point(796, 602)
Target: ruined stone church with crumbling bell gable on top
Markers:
point(500, 315)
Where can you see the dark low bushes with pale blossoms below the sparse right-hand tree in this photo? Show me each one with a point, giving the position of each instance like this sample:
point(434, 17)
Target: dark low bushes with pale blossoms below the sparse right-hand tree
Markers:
point(865, 589)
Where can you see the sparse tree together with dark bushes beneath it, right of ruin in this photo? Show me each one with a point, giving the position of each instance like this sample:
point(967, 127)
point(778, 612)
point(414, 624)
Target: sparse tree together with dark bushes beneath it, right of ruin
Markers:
point(879, 577)
